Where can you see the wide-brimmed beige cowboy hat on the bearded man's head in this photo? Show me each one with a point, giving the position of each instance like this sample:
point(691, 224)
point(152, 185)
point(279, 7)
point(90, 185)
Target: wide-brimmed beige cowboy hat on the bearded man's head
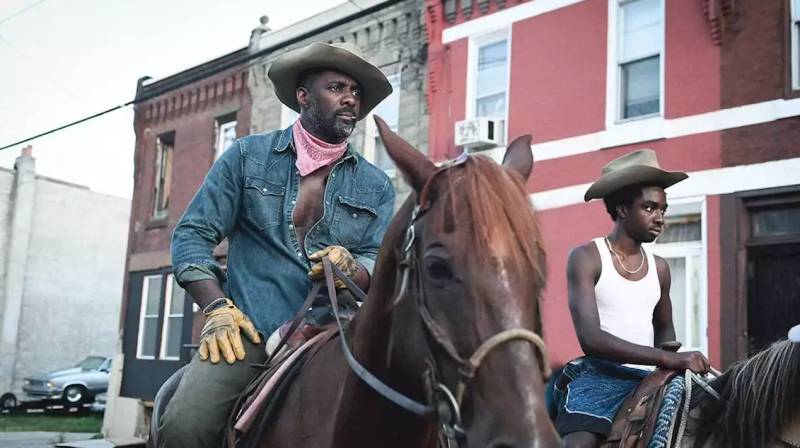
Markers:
point(343, 57)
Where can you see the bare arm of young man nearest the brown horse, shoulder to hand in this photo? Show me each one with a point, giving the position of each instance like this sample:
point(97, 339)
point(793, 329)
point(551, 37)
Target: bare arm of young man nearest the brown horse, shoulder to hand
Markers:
point(583, 270)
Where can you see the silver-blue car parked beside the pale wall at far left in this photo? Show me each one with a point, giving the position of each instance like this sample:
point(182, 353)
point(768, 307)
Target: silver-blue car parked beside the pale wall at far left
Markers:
point(74, 385)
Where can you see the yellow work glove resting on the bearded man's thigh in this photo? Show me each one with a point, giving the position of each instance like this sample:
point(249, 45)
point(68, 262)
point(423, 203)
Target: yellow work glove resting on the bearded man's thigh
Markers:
point(222, 333)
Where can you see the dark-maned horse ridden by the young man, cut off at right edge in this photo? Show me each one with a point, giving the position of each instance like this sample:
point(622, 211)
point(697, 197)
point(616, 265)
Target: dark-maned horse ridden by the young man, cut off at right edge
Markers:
point(759, 404)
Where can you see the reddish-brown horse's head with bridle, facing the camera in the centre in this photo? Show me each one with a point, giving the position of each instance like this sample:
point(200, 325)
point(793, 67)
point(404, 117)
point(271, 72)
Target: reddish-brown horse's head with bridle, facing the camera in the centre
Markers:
point(464, 273)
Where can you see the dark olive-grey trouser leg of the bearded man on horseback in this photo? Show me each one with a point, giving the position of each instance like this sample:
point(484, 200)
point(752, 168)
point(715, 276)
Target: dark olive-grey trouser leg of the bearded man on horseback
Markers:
point(198, 412)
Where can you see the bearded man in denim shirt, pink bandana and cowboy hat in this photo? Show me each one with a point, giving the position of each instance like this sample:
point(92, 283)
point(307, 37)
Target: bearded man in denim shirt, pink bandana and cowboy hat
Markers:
point(283, 199)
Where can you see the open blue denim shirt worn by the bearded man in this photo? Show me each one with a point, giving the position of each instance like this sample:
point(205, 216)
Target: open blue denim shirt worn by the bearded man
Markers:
point(249, 196)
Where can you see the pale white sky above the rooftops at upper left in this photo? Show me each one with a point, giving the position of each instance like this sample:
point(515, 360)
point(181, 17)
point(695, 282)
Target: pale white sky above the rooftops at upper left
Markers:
point(63, 60)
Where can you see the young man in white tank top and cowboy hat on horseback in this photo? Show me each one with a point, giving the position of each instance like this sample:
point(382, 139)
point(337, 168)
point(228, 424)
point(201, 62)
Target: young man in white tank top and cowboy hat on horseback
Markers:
point(619, 301)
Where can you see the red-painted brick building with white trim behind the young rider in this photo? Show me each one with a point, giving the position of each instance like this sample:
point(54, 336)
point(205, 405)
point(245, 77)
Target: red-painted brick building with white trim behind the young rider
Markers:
point(711, 86)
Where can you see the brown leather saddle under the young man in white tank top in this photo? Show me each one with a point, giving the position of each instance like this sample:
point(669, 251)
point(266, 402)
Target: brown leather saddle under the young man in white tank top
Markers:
point(635, 421)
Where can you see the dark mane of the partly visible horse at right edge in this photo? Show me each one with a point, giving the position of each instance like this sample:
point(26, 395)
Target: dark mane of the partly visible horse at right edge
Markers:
point(758, 400)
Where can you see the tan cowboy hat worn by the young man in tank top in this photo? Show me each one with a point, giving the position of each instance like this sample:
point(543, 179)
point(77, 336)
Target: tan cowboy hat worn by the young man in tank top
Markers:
point(638, 167)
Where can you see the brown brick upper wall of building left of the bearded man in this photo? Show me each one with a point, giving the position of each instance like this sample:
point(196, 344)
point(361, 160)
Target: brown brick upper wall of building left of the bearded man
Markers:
point(190, 112)
